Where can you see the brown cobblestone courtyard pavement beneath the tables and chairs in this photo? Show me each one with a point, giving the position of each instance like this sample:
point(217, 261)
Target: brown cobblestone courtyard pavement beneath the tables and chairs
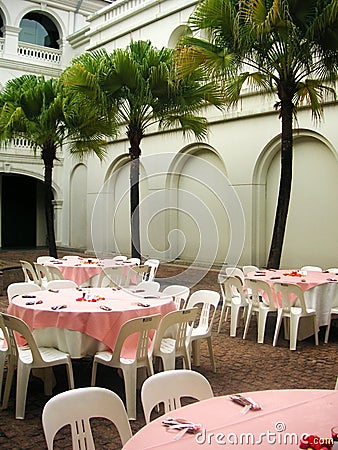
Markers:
point(242, 365)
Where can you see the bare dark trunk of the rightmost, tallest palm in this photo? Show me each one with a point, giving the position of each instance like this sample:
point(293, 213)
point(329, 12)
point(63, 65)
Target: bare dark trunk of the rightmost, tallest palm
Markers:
point(284, 186)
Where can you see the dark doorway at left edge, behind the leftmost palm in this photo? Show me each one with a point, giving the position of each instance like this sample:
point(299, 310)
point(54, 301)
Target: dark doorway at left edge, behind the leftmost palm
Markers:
point(18, 211)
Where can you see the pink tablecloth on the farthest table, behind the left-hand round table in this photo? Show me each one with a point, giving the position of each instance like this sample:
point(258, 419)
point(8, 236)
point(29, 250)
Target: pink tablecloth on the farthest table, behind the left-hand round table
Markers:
point(81, 270)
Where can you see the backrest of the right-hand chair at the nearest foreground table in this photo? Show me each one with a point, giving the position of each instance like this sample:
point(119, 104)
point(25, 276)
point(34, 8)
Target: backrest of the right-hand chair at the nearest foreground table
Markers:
point(170, 387)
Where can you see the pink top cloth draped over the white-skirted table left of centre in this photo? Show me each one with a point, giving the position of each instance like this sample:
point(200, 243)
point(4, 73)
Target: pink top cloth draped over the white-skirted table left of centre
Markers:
point(87, 317)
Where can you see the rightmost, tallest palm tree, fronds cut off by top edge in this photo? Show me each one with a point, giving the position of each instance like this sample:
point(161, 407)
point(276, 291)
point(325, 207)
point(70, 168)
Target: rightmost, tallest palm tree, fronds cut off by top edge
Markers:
point(280, 47)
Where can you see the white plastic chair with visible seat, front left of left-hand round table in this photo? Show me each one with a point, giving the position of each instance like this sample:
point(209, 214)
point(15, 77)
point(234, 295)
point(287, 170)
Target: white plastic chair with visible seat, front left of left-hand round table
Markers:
point(29, 357)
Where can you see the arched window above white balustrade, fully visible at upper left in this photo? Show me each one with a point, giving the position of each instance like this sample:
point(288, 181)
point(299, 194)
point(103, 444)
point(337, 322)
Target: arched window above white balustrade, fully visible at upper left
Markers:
point(39, 29)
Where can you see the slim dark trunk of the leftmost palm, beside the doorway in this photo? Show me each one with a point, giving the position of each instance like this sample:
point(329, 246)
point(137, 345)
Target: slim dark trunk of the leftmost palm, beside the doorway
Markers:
point(48, 156)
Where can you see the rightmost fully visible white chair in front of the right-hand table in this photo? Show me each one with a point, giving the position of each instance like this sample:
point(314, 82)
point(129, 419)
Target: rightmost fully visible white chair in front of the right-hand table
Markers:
point(293, 308)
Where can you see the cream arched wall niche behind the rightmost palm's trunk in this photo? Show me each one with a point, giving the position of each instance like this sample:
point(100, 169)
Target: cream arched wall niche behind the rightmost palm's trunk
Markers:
point(311, 225)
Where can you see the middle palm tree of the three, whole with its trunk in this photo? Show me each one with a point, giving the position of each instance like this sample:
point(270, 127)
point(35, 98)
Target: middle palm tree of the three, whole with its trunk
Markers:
point(139, 85)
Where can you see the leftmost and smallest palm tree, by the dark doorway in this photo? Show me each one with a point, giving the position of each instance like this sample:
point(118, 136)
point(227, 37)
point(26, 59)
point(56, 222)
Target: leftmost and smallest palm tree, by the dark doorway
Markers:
point(43, 112)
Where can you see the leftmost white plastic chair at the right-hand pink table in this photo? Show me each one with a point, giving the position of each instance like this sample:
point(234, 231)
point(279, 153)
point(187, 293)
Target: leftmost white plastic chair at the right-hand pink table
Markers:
point(234, 299)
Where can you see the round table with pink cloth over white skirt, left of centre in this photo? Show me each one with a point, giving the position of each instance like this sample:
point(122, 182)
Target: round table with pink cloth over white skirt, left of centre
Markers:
point(82, 327)
